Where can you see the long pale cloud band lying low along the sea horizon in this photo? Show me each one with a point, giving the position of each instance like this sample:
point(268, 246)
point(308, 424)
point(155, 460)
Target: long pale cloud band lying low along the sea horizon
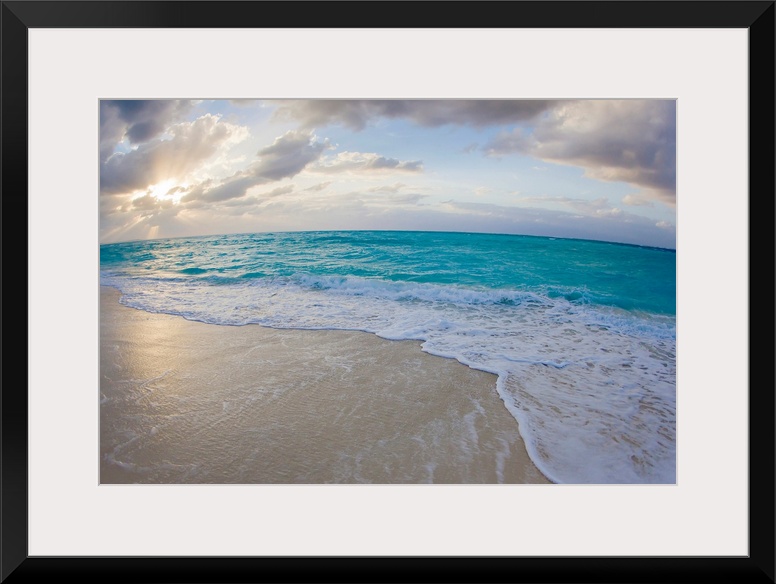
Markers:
point(368, 211)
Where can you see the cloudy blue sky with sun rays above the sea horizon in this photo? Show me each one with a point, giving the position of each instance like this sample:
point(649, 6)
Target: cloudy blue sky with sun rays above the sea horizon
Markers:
point(588, 169)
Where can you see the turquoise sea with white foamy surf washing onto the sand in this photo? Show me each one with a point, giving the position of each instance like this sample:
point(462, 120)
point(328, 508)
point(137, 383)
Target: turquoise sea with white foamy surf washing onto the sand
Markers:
point(582, 334)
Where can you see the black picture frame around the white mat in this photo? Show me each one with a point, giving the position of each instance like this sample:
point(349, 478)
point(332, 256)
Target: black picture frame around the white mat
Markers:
point(756, 16)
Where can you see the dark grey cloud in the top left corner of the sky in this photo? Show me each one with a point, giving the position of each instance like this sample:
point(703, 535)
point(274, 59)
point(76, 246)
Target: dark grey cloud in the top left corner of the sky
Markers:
point(137, 120)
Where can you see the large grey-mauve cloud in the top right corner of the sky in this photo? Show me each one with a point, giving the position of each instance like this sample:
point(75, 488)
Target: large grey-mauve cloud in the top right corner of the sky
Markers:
point(632, 141)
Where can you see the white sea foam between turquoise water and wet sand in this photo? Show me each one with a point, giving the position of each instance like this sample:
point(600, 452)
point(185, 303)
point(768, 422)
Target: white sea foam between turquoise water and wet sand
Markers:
point(592, 388)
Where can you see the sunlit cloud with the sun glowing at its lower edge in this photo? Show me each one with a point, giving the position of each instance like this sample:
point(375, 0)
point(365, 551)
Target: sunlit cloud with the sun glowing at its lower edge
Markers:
point(190, 144)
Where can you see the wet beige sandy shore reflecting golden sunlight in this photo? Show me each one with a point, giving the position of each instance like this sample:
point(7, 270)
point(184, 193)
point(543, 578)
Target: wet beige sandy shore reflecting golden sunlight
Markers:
point(187, 402)
